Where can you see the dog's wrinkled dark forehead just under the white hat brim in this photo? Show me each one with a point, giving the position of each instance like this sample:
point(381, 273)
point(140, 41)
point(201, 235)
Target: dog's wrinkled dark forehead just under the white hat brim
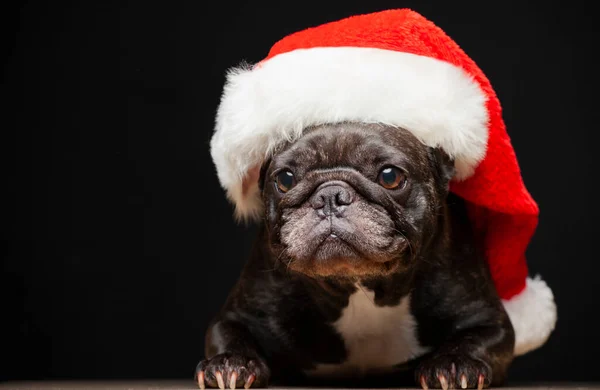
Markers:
point(365, 146)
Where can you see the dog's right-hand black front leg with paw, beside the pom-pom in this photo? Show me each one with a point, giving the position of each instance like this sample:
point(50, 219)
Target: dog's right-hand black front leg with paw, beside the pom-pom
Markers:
point(476, 357)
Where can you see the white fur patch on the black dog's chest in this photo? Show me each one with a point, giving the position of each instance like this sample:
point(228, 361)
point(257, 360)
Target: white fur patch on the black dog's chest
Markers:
point(376, 338)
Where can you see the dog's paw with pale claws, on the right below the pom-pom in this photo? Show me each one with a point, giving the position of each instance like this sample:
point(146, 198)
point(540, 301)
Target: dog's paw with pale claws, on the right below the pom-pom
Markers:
point(453, 371)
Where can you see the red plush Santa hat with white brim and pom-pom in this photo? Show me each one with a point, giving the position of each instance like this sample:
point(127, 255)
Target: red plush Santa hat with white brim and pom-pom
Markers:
point(398, 68)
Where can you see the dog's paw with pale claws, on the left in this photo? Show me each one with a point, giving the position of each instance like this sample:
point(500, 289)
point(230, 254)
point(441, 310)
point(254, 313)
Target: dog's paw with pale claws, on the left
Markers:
point(232, 371)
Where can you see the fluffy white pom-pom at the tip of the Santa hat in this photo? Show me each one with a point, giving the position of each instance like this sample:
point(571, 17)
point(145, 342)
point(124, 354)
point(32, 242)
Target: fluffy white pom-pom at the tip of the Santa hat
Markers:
point(532, 314)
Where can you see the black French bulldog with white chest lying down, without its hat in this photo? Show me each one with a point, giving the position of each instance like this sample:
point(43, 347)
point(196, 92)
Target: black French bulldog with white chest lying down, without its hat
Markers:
point(365, 271)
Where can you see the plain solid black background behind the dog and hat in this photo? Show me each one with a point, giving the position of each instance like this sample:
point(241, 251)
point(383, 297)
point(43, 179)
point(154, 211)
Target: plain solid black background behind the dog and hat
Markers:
point(119, 242)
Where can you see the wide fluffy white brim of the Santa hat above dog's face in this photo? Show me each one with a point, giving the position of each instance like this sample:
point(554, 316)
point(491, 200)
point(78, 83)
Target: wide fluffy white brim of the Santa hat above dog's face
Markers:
point(275, 101)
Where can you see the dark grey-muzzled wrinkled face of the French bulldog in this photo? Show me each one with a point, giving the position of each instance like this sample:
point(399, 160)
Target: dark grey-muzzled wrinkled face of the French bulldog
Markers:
point(353, 200)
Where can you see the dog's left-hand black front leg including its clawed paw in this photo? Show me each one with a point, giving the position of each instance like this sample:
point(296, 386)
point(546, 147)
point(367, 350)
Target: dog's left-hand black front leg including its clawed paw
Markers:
point(232, 359)
